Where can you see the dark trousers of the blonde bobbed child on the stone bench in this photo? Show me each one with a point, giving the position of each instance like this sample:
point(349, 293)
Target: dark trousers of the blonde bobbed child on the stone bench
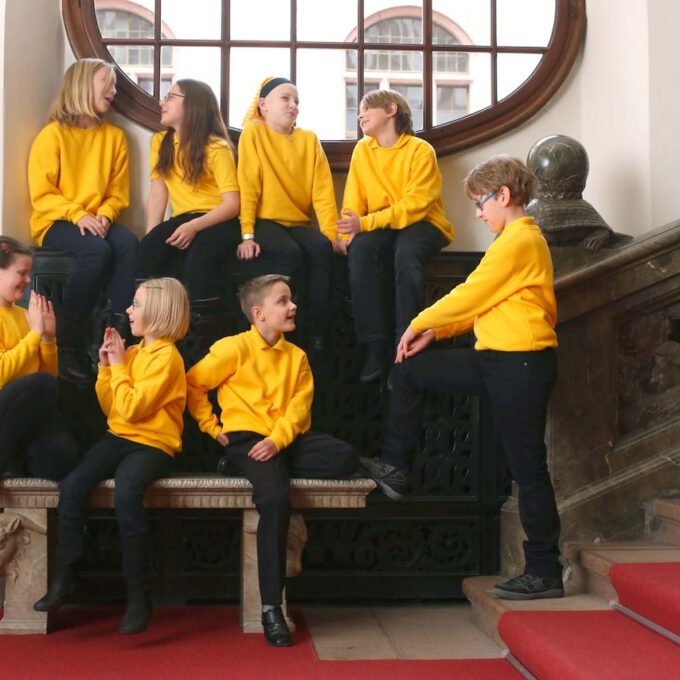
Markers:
point(134, 467)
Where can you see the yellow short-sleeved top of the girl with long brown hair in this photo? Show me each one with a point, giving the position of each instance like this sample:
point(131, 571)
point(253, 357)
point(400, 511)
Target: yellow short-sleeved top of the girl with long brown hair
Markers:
point(218, 177)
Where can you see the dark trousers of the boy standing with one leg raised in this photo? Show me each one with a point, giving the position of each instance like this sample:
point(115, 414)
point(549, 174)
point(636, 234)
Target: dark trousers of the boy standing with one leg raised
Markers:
point(518, 385)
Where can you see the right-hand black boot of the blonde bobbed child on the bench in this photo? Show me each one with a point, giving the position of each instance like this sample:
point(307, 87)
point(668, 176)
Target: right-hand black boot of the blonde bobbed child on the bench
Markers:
point(136, 559)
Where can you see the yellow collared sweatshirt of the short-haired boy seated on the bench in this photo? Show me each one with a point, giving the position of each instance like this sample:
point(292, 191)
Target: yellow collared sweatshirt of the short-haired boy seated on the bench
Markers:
point(260, 388)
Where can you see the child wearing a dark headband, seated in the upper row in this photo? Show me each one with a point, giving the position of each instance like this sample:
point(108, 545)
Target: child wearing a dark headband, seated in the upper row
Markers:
point(283, 172)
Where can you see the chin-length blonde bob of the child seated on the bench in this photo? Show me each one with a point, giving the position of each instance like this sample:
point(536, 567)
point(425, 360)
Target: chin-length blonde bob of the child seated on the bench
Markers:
point(166, 311)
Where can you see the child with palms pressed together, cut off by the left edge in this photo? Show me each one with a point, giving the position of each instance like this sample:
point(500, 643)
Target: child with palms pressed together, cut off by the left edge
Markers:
point(31, 439)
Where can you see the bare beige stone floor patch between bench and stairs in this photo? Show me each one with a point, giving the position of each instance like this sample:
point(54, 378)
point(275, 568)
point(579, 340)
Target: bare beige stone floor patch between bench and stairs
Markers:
point(436, 631)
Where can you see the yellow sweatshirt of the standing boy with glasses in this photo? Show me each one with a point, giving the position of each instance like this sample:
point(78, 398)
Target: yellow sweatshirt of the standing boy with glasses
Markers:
point(508, 299)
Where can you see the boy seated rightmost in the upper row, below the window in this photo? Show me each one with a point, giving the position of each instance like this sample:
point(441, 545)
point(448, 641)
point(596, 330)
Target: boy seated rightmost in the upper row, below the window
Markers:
point(393, 212)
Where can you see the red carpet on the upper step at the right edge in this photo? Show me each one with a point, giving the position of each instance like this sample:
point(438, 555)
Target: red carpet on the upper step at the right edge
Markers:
point(651, 590)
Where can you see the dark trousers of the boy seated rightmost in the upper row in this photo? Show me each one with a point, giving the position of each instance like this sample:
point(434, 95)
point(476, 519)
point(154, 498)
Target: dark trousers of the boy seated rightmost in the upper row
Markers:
point(409, 249)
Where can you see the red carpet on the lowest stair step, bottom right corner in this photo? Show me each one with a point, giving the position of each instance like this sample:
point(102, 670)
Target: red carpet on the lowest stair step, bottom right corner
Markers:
point(588, 645)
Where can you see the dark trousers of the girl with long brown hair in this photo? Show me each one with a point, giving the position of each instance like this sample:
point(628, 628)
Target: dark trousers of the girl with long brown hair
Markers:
point(202, 265)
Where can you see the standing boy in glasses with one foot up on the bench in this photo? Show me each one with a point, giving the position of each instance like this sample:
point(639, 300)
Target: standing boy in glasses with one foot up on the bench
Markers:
point(509, 302)
